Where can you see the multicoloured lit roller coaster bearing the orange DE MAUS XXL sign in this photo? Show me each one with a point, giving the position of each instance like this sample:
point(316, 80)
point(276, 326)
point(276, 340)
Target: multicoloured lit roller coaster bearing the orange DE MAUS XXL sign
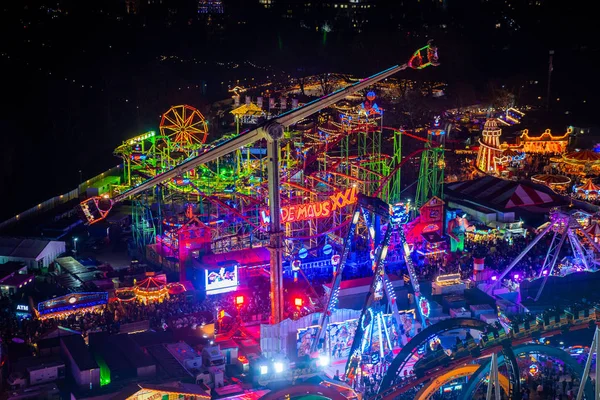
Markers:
point(229, 194)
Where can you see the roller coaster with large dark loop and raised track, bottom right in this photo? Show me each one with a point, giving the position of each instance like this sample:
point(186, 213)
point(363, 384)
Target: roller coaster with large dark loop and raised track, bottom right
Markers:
point(485, 341)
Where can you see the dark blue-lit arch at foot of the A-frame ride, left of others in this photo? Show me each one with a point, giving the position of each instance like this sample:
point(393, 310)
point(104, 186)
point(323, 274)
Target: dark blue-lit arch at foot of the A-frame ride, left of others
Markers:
point(402, 359)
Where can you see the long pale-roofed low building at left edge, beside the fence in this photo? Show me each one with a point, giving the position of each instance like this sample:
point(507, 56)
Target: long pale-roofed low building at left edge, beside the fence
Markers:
point(35, 253)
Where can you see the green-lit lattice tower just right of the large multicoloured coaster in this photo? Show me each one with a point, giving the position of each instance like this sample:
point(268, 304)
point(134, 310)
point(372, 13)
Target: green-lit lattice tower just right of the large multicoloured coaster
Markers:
point(431, 173)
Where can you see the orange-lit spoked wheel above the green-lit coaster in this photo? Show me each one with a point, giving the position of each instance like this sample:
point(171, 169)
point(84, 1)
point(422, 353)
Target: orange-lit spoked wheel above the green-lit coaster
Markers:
point(185, 127)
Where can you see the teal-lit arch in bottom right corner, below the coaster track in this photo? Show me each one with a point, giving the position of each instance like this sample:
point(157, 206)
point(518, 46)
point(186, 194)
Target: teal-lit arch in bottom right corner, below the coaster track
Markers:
point(562, 355)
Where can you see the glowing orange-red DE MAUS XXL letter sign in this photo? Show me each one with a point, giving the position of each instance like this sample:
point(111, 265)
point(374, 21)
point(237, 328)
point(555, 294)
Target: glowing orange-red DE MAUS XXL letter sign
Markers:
point(322, 209)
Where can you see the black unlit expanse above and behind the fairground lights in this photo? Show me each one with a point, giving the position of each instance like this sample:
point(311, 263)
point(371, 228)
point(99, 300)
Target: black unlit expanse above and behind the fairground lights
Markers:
point(53, 127)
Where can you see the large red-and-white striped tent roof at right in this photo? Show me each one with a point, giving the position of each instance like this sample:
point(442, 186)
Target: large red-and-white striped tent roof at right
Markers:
point(501, 193)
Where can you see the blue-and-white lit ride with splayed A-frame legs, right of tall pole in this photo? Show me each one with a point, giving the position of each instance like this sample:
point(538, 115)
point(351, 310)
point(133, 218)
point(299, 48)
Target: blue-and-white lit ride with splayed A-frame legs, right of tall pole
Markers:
point(380, 319)
